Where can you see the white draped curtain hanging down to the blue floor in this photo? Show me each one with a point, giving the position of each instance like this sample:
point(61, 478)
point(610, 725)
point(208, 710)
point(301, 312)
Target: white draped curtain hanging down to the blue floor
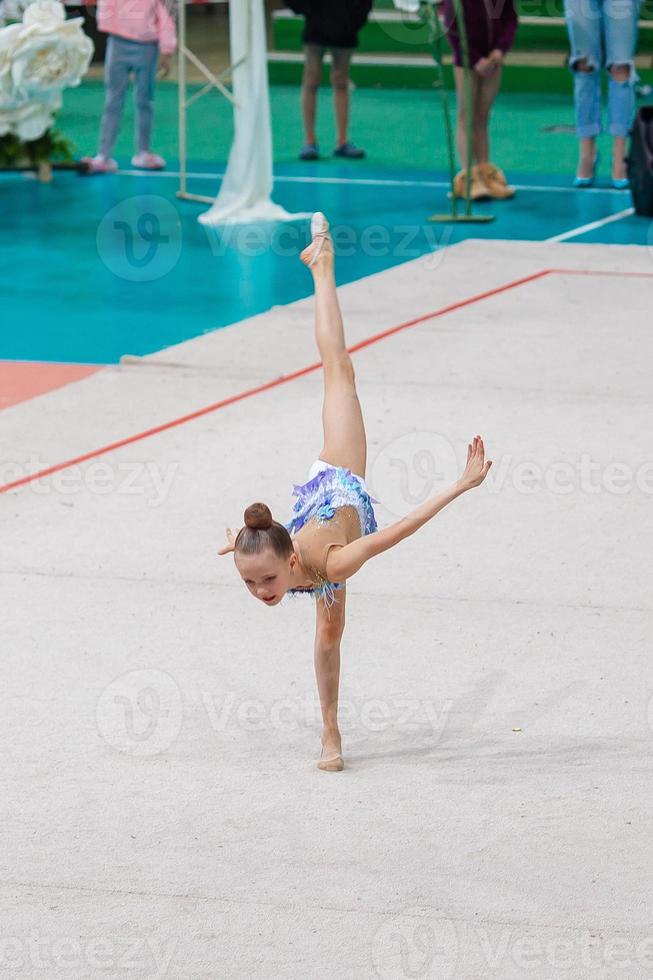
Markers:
point(245, 194)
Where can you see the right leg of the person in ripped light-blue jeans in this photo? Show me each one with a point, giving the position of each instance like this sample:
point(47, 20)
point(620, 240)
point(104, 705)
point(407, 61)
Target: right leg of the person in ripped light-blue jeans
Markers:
point(621, 23)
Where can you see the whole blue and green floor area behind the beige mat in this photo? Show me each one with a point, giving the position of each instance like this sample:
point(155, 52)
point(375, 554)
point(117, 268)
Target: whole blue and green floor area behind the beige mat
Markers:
point(97, 268)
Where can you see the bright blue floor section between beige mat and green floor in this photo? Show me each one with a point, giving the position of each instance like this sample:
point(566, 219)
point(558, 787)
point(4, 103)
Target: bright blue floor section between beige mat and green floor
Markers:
point(102, 267)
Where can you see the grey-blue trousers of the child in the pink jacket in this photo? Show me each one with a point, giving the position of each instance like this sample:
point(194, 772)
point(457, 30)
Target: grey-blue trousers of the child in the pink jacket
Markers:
point(122, 58)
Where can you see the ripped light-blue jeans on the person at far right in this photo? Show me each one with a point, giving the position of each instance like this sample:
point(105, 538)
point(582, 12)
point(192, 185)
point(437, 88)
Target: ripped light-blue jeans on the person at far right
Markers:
point(604, 33)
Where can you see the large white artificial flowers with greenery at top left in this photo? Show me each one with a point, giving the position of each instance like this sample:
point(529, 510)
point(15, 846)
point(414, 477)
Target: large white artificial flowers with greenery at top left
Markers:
point(40, 56)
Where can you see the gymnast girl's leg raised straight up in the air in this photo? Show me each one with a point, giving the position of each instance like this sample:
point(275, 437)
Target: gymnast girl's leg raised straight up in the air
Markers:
point(345, 442)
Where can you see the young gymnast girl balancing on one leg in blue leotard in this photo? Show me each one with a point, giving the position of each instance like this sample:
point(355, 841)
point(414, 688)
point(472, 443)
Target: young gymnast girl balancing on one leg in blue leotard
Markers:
point(333, 530)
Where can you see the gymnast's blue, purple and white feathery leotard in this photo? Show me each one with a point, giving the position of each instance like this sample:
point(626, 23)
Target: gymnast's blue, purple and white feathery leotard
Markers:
point(328, 489)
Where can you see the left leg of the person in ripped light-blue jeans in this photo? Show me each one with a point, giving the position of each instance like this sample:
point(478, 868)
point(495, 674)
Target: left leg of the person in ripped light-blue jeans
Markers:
point(584, 24)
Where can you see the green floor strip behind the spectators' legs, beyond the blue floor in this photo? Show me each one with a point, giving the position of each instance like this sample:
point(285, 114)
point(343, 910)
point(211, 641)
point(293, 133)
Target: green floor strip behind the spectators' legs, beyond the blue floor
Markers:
point(399, 128)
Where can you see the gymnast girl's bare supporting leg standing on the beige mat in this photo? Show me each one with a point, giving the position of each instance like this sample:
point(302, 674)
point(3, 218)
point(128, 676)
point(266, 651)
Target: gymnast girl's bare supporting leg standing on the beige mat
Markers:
point(329, 627)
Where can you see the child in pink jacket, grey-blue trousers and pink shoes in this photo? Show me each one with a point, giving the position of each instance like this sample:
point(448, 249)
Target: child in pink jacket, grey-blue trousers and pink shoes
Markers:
point(138, 30)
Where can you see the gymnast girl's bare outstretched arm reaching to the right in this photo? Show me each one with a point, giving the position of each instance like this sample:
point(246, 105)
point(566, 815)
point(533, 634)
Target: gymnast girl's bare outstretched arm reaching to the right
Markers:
point(344, 562)
